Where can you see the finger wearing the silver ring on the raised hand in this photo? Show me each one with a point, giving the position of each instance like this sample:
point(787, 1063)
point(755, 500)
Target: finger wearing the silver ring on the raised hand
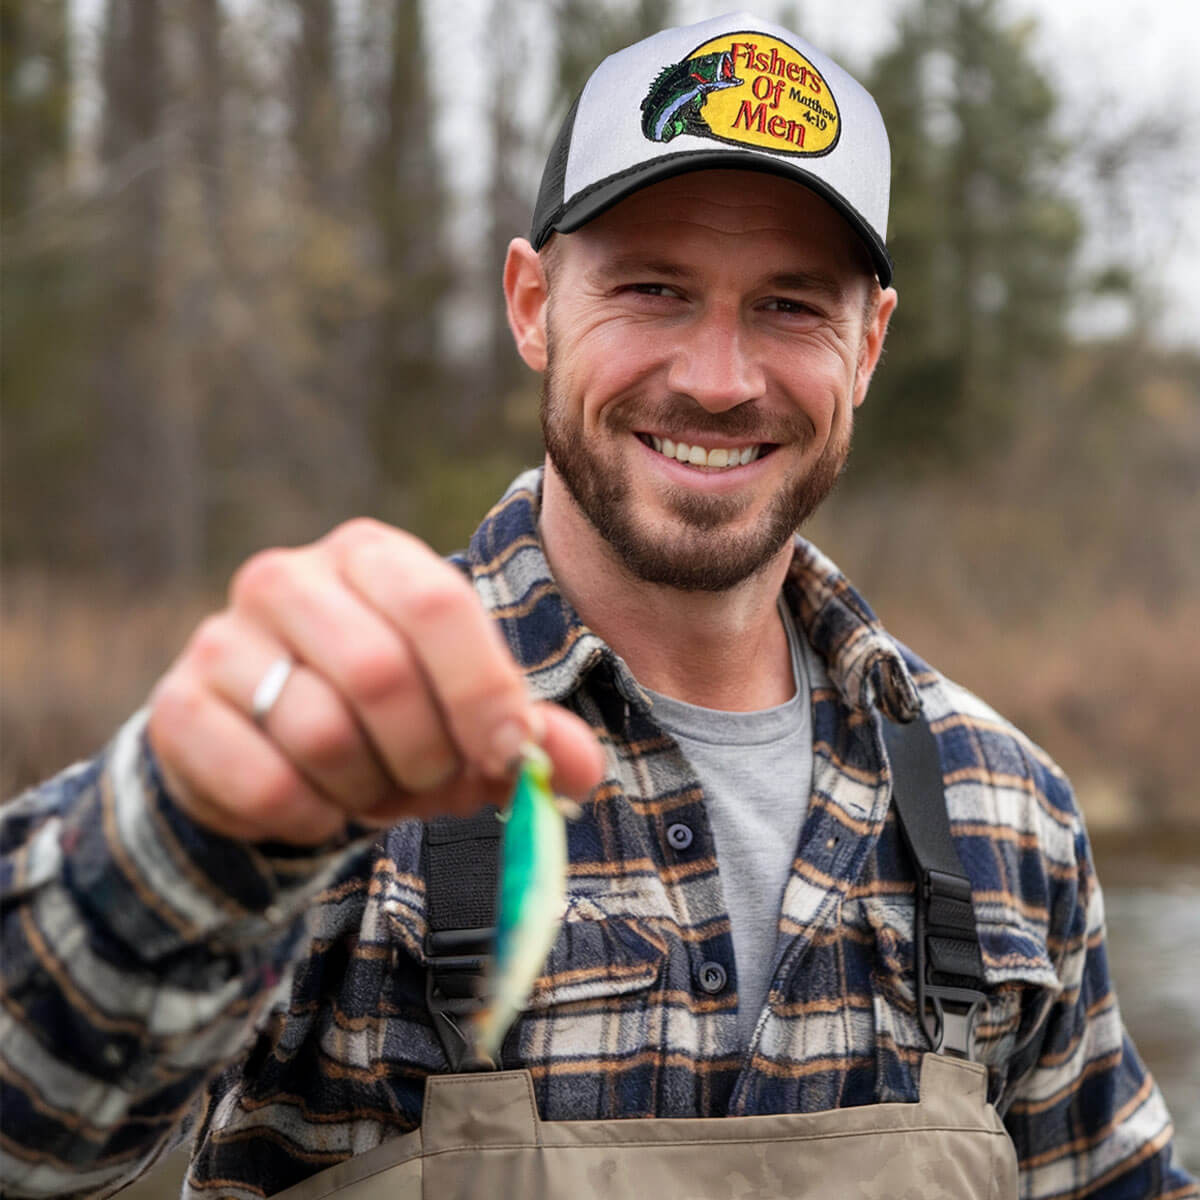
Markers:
point(309, 722)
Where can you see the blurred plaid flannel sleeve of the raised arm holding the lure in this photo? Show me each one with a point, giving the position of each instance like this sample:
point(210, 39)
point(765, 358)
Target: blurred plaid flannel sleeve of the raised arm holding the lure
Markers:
point(141, 953)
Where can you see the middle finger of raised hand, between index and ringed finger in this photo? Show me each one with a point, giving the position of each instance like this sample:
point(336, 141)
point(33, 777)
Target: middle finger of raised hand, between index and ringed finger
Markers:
point(328, 627)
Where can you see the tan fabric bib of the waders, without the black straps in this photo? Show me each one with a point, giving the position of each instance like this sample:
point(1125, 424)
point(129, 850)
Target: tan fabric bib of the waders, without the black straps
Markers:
point(482, 1137)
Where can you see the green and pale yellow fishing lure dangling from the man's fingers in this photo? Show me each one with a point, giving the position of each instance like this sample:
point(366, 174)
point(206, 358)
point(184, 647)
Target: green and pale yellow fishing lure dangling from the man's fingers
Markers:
point(532, 898)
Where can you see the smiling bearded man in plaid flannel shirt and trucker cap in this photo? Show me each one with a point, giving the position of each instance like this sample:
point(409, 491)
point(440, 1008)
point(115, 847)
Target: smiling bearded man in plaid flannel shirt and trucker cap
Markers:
point(224, 923)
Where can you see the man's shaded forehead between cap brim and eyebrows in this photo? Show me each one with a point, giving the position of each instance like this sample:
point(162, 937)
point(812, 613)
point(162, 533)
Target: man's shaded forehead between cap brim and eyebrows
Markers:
point(753, 214)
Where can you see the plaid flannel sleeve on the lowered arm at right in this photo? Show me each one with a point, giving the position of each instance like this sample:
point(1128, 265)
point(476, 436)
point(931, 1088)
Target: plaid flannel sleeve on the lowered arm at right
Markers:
point(1088, 1119)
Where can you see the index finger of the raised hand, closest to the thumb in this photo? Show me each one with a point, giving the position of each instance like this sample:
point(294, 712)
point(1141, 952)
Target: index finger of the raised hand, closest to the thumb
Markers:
point(473, 677)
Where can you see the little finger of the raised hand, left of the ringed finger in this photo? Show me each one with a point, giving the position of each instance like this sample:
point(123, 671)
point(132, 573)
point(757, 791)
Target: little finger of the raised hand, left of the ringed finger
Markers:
point(227, 776)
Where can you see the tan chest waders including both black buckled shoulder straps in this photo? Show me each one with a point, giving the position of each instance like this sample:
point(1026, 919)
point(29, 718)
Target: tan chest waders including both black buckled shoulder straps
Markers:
point(482, 1137)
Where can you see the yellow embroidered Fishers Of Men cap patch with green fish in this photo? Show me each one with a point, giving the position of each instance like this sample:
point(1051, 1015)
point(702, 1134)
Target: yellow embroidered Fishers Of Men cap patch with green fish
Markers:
point(746, 89)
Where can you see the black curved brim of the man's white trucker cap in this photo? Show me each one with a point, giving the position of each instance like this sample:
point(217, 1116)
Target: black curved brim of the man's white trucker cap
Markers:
point(603, 196)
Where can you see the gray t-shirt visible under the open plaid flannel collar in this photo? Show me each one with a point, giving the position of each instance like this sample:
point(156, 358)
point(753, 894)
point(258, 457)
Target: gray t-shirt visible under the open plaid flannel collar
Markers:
point(757, 771)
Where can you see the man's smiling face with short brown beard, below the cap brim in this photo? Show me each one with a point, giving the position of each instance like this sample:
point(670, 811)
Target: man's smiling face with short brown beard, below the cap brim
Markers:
point(729, 313)
